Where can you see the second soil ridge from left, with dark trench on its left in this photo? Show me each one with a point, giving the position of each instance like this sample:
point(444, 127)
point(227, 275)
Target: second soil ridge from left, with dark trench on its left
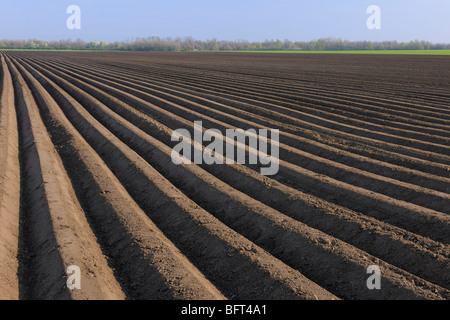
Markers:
point(57, 234)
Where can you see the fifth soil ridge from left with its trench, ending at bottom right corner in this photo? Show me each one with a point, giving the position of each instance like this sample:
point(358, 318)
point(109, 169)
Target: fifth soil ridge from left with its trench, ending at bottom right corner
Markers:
point(251, 217)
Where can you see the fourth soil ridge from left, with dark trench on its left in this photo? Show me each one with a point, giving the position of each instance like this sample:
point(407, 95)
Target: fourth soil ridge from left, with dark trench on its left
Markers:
point(232, 263)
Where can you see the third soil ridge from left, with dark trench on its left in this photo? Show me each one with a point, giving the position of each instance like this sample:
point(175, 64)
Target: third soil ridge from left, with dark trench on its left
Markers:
point(159, 270)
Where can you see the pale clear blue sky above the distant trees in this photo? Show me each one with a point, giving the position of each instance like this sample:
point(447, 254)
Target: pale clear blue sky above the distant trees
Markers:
point(300, 20)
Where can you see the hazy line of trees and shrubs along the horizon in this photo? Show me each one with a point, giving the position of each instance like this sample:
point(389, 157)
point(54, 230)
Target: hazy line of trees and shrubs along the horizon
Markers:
point(191, 44)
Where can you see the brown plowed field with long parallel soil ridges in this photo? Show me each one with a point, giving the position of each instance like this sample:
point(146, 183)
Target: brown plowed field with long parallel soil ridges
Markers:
point(86, 176)
